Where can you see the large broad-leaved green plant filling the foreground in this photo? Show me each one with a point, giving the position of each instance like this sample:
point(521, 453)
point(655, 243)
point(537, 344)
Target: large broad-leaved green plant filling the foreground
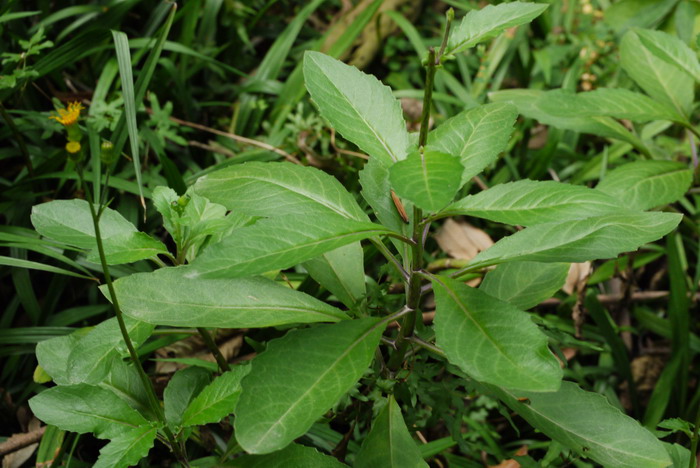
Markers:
point(283, 215)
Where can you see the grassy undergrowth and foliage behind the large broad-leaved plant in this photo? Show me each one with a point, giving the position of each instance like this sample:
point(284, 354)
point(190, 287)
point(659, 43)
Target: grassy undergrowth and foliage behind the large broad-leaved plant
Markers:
point(229, 87)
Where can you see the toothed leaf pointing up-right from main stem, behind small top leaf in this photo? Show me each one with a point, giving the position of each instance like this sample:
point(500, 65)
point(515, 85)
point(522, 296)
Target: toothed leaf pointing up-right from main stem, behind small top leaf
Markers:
point(477, 136)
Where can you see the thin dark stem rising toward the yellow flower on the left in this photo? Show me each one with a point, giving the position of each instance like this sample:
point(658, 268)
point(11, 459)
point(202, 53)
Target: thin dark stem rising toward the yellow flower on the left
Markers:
point(150, 392)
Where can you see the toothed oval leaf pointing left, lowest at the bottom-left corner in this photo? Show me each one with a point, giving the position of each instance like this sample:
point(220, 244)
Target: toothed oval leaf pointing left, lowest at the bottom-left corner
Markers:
point(84, 408)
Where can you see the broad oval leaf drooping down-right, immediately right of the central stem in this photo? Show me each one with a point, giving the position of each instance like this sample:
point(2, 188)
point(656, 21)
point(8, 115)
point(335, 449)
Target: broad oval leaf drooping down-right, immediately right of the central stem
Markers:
point(491, 340)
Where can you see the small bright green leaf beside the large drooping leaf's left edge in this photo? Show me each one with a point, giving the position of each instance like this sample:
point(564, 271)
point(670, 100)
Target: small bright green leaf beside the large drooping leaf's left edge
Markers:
point(217, 400)
